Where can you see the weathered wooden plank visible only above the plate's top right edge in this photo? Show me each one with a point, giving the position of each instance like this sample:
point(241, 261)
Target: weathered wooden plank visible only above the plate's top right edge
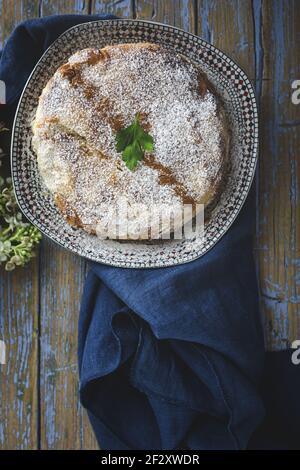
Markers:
point(180, 13)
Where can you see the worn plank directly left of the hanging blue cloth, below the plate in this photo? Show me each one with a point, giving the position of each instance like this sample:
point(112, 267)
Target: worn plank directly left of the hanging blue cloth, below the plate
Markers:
point(63, 423)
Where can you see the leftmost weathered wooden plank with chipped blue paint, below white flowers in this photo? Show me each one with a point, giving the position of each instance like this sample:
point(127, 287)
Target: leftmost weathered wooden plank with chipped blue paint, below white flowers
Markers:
point(19, 302)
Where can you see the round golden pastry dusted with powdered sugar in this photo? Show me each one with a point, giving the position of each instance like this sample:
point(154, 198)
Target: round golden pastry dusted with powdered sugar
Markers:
point(97, 95)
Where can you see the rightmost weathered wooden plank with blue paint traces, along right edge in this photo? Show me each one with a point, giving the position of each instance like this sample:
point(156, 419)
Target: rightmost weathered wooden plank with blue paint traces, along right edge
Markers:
point(278, 232)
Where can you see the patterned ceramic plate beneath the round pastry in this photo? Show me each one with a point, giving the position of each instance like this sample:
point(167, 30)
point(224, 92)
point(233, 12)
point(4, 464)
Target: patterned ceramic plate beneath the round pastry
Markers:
point(231, 83)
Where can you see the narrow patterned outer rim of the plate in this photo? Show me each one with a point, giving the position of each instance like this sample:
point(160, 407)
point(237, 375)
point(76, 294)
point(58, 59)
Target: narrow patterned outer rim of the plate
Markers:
point(234, 213)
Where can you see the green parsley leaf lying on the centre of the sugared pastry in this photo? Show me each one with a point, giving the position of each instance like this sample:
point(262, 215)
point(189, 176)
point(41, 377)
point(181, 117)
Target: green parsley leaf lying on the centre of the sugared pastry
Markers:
point(133, 142)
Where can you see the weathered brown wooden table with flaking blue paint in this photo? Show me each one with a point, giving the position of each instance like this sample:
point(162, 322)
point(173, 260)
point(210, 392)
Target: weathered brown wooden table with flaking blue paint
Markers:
point(39, 304)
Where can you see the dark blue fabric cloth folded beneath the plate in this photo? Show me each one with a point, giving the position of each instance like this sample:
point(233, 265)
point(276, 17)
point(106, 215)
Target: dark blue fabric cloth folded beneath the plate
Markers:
point(169, 358)
